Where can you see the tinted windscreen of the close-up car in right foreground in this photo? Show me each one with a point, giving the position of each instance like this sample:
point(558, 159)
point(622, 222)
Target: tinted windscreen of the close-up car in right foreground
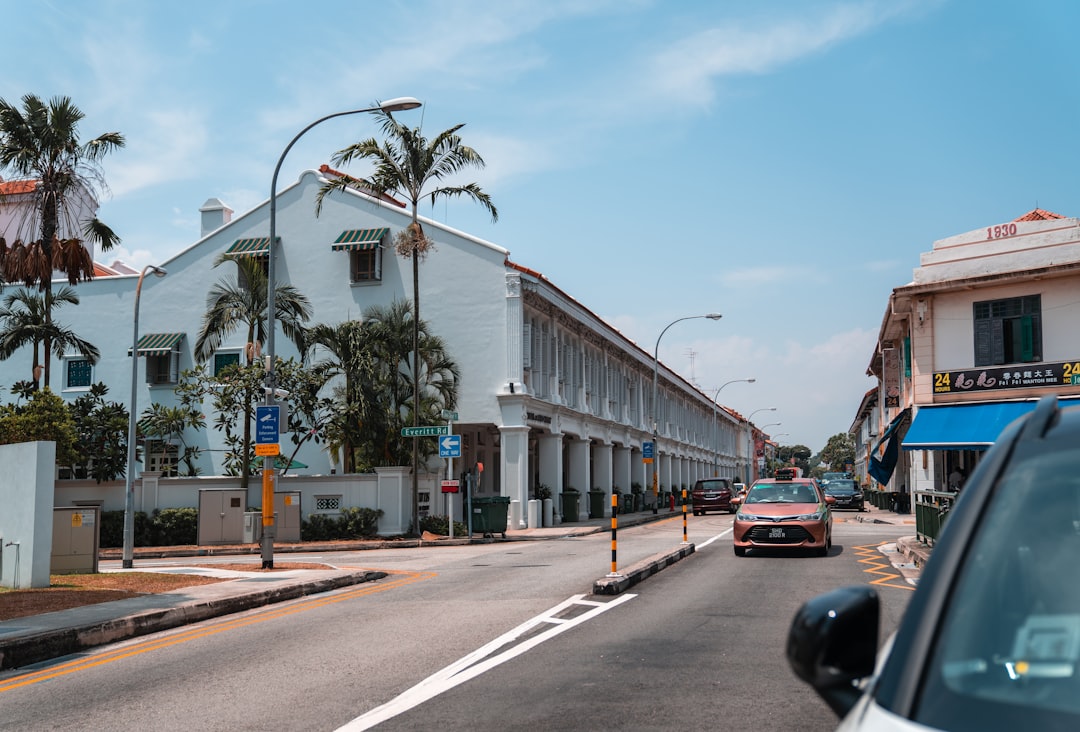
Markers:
point(1009, 649)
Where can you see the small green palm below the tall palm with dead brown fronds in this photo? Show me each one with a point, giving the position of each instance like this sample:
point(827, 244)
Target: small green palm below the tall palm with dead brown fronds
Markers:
point(25, 320)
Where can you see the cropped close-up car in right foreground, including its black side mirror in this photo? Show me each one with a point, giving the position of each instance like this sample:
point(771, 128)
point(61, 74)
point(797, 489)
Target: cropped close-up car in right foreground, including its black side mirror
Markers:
point(991, 640)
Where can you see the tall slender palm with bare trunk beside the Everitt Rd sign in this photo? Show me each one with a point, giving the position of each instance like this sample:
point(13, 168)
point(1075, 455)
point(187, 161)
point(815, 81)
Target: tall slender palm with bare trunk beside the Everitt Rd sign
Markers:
point(407, 164)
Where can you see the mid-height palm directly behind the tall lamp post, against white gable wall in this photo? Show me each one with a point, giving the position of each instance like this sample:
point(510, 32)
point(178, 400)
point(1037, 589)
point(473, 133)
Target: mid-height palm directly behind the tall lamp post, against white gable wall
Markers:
point(232, 306)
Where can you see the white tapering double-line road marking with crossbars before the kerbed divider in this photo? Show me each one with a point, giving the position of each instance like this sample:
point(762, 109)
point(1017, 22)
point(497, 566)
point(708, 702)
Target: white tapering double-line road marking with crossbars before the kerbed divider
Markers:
point(478, 662)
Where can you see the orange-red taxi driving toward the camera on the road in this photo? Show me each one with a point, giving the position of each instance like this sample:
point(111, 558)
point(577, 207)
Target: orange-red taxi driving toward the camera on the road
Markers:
point(785, 513)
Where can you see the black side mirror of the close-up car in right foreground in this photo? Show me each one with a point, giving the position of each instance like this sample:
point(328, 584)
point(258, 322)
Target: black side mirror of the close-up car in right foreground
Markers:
point(833, 643)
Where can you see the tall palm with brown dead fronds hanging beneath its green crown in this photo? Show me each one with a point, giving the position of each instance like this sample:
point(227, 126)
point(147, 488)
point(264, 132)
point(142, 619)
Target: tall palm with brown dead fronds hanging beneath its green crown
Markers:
point(40, 143)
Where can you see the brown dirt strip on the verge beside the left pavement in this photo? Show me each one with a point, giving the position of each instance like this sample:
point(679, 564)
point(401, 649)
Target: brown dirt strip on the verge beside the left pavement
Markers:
point(75, 591)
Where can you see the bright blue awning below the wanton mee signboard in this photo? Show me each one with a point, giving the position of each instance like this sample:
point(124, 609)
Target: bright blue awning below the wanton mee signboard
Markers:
point(965, 427)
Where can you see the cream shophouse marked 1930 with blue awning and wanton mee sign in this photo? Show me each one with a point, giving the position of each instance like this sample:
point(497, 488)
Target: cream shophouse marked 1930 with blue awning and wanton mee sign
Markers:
point(990, 324)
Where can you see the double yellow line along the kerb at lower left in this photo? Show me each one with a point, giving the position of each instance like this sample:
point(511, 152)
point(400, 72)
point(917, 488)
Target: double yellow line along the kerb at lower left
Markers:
point(272, 613)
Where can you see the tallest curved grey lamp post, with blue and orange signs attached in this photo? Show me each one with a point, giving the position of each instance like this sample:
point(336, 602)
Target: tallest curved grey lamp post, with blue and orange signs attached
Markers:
point(397, 105)
